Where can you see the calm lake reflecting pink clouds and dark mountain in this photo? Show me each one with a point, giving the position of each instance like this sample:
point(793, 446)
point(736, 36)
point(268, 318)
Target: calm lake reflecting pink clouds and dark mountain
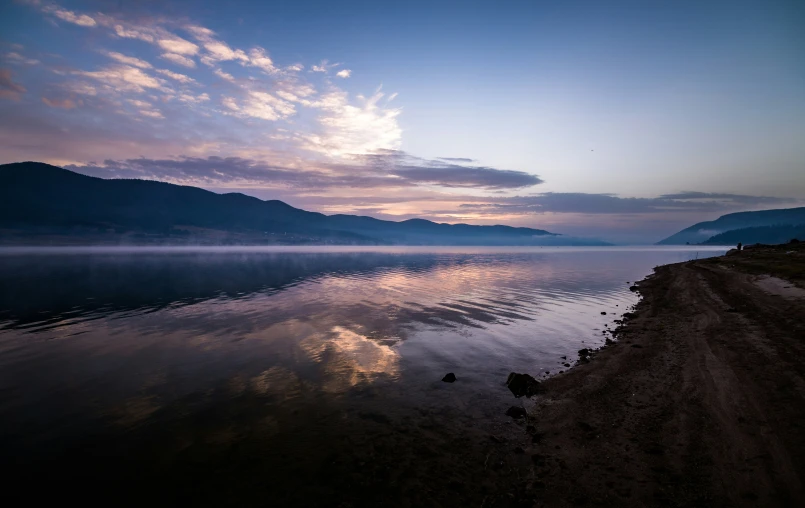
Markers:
point(301, 376)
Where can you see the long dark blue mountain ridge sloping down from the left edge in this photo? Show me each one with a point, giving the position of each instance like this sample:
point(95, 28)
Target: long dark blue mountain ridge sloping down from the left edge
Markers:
point(40, 203)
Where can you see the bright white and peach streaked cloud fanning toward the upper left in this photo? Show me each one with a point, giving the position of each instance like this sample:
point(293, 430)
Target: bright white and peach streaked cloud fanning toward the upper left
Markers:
point(338, 125)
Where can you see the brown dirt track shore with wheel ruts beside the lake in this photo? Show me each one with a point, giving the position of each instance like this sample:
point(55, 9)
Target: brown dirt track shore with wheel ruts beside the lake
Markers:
point(700, 402)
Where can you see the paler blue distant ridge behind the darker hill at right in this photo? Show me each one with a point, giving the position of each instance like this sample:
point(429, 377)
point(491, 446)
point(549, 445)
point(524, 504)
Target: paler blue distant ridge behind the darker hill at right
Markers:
point(703, 231)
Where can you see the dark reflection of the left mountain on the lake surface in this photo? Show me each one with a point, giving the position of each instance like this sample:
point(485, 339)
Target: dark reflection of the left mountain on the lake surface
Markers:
point(60, 286)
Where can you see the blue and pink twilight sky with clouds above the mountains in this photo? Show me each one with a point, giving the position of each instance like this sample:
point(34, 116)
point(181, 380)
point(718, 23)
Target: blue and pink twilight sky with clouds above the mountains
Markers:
point(621, 120)
